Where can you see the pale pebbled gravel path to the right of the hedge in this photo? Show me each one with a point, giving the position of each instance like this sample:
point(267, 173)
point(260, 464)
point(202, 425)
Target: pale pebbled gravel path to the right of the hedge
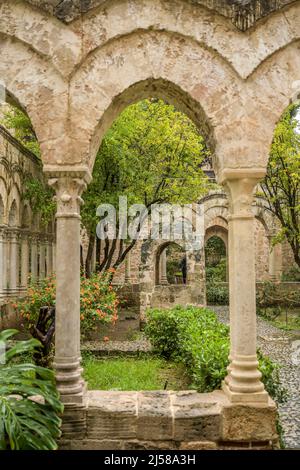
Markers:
point(284, 348)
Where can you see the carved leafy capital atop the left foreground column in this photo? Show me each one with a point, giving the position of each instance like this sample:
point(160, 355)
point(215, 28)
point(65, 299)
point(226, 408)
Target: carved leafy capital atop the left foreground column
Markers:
point(68, 183)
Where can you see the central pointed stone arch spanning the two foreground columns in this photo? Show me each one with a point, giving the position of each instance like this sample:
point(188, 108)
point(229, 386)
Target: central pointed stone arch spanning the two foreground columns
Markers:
point(139, 65)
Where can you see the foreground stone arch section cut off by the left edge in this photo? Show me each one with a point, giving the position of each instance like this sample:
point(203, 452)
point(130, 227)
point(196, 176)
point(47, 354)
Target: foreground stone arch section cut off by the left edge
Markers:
point(34, 86)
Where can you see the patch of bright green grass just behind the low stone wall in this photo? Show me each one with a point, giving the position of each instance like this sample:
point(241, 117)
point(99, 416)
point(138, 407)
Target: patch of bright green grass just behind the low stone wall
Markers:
point(133, 374)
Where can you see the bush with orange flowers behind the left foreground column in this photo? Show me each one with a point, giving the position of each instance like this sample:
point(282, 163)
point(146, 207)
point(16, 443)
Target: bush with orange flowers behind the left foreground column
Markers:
point(98, 301)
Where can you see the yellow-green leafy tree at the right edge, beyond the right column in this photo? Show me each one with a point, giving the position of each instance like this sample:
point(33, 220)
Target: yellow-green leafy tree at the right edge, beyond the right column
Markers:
point(281, 186)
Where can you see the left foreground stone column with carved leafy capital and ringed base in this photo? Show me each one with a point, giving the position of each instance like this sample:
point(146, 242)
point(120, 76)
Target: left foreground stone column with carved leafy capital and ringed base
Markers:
point(68, 186)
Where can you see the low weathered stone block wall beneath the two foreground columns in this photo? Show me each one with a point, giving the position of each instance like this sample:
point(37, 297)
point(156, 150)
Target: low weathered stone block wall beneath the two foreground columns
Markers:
point(167, 420)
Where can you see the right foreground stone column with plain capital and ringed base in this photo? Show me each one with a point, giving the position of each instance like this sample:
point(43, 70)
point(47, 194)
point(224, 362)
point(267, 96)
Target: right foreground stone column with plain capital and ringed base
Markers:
point(242, 385)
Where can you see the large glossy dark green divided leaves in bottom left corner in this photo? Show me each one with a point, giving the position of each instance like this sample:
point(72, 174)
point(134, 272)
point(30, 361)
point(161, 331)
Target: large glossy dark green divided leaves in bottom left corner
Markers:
point(27, 423)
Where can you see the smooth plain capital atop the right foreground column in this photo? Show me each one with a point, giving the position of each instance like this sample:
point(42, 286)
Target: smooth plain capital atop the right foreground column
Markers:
point(240, 185)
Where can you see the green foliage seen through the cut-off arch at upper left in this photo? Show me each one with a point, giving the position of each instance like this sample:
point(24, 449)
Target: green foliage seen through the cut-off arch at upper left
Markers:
point(18, 122)
